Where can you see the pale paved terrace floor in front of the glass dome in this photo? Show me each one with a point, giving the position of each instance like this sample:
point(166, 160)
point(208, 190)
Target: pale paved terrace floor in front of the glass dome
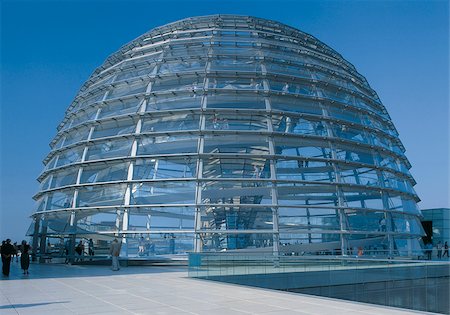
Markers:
point(63, 289)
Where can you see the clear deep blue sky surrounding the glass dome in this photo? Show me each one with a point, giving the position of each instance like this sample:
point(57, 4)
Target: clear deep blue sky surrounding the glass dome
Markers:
point(48, 49)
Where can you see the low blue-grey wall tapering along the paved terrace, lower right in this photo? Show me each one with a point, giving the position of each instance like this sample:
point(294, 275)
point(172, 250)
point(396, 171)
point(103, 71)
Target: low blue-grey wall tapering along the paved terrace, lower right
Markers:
point(420, 287)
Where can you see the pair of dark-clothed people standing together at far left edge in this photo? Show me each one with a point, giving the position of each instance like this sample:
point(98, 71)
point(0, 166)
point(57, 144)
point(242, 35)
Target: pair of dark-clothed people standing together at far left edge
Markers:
point(9, 251)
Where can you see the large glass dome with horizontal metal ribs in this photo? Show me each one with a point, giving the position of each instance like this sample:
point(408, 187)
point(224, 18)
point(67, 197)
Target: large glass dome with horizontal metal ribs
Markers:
point(225, 133)
